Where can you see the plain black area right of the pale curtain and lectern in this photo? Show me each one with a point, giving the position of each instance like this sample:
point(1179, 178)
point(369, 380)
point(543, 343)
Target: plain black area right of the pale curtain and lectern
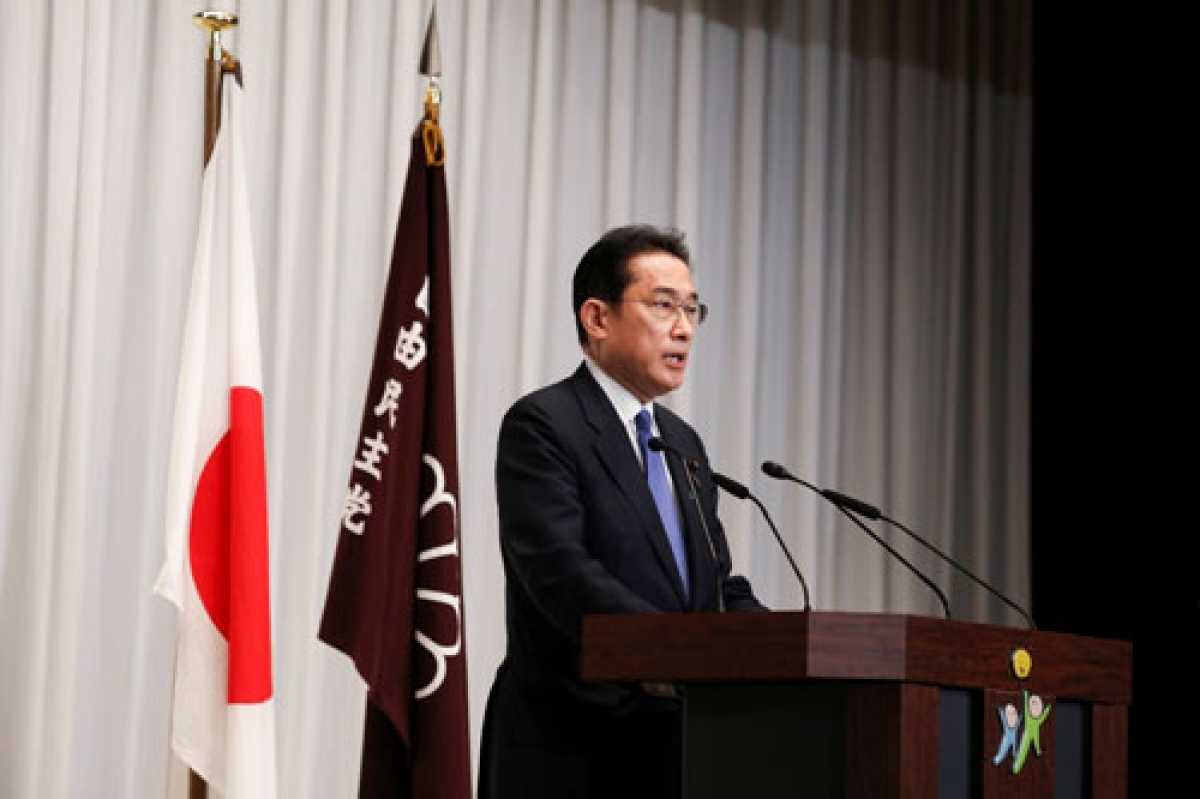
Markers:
point(1113, 333)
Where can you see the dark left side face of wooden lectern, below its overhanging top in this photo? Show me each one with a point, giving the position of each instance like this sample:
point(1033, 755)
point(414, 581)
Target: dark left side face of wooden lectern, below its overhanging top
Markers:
point(817, 740)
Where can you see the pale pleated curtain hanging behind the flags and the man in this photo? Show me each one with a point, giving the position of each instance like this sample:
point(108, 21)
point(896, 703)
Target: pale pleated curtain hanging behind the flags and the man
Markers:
point(855, 179)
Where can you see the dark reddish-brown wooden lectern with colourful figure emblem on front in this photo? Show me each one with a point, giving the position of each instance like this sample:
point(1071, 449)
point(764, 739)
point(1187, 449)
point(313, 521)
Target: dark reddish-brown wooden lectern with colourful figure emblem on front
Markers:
point(875, 706)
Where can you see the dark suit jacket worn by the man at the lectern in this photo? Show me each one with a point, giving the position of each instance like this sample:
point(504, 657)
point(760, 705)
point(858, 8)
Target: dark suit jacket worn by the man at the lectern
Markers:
point(580, 534)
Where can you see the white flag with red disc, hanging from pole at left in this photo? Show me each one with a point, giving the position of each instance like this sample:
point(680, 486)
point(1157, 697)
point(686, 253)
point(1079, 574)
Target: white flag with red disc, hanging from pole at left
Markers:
point(218, 566)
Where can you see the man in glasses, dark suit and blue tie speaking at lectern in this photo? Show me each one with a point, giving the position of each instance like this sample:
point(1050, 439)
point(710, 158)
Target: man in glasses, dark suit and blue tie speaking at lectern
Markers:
point(581, 534)
